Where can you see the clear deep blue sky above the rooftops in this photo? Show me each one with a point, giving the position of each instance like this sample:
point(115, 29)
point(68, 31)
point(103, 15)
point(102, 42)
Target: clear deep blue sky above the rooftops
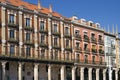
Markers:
point(105, 12)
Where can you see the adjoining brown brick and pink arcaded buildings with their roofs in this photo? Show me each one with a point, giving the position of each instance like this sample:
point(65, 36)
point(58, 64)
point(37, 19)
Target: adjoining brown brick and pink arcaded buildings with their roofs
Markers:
point(39, 44)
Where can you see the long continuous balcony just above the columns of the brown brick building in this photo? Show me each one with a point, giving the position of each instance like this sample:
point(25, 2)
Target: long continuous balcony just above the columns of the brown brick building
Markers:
point(39, 58)
